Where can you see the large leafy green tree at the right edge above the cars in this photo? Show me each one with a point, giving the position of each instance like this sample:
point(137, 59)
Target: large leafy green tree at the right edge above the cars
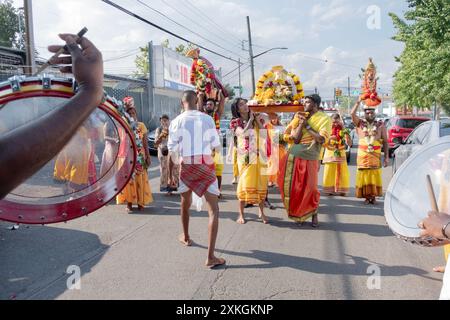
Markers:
point(424, 74)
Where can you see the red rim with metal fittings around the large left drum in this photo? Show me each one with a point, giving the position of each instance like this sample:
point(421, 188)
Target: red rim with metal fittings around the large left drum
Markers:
point(84, 202)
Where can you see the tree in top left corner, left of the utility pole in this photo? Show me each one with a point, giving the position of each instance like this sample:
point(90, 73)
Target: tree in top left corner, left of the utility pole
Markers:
point(10, 22)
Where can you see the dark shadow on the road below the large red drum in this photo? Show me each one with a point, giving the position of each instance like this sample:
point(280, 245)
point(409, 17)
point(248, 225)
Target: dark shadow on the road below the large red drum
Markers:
point(34, 258)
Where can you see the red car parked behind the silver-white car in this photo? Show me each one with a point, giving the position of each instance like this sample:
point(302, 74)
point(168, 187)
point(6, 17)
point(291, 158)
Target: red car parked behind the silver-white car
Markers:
point(401, 127)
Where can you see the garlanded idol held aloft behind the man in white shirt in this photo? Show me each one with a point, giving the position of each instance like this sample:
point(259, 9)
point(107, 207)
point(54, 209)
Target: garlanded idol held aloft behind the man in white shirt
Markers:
point(203, 77)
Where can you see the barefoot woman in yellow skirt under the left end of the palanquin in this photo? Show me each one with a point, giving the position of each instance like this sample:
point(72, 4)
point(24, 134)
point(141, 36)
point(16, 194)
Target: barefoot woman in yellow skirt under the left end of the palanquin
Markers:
point(251, 150)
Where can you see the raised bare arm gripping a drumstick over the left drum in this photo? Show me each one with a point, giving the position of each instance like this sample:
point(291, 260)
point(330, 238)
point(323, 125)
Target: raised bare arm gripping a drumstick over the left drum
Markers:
point(25, 150)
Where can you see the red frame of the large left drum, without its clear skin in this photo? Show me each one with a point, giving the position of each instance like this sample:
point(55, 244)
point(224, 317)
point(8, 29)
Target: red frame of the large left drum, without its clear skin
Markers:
point(88, 200)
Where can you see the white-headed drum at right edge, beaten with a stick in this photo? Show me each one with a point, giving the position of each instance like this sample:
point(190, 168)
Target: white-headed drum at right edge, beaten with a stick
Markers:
point(407, 200)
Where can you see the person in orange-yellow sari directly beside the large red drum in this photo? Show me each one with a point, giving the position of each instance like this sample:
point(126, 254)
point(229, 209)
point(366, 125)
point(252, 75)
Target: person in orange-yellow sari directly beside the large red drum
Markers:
point(138, 189)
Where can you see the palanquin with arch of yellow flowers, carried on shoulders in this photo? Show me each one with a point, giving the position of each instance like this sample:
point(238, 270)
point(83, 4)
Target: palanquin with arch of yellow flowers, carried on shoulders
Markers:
point(278, 91)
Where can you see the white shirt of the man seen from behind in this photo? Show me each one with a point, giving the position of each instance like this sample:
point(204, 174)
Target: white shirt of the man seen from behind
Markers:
point(193, 133)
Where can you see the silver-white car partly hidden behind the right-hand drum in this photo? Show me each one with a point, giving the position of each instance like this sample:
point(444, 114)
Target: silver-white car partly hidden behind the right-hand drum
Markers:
point(424, 134)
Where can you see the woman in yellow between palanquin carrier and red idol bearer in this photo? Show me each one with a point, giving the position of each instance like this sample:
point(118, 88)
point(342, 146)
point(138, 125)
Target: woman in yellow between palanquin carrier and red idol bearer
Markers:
point(336, 177)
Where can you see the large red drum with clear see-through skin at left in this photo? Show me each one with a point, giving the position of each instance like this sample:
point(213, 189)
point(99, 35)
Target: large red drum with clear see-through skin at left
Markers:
point(88, 173)
